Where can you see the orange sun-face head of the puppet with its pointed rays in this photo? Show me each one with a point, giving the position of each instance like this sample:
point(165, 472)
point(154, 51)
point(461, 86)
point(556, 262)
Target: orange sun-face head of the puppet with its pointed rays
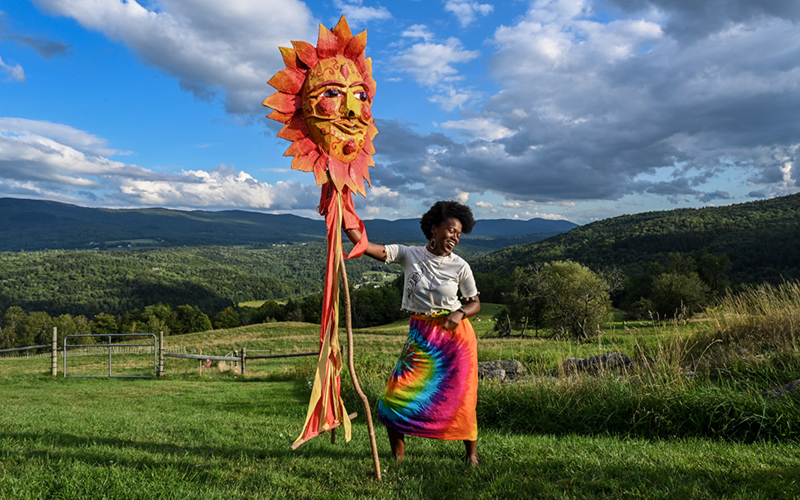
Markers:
point(295, 106)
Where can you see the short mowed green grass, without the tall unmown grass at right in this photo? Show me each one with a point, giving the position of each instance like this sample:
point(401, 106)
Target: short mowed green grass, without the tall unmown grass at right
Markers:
point(227, 436)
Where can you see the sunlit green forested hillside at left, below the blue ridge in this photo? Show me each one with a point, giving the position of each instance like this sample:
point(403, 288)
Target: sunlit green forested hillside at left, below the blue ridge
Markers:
point(114, 282)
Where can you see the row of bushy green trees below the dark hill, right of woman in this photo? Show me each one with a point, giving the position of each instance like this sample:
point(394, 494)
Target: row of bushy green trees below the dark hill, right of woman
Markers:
point(573, 300)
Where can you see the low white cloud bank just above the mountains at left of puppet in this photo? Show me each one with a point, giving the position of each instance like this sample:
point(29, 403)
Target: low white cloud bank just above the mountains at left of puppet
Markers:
point(47, 160)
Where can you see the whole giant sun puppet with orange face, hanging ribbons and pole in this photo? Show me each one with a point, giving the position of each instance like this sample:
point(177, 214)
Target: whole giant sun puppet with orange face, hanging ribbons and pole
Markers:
point(323, 99)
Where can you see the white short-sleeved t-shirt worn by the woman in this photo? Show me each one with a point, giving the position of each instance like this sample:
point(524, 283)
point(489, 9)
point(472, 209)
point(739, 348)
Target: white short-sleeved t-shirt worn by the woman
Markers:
point(431, 281)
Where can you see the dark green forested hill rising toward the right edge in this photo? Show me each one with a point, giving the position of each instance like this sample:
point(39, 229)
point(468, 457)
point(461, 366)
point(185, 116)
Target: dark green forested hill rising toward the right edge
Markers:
point(759, 237)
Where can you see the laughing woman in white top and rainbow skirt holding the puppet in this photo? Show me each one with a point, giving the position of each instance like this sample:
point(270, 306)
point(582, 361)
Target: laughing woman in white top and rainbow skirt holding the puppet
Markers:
point(433, 389)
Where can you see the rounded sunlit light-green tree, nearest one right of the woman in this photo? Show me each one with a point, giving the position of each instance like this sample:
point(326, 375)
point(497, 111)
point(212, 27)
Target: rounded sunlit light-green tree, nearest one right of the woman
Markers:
point(578, 299)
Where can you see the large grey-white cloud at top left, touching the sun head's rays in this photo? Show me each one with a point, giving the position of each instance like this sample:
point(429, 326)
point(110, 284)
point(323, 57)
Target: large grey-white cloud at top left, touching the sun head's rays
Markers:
point(211, 47)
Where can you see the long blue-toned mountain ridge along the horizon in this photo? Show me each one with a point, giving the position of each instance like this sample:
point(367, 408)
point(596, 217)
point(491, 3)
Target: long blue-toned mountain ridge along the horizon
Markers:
point(36, 225)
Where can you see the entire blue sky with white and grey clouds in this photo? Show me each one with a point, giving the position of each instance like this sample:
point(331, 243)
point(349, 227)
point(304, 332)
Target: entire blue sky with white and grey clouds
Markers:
point(560, 109)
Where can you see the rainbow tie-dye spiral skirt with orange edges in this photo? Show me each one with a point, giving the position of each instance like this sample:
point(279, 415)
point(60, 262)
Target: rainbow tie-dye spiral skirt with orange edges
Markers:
point(433, 390)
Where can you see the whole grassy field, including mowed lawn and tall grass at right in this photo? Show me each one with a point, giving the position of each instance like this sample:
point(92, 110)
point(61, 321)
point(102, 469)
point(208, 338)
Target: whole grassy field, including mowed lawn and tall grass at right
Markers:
point(690, 421)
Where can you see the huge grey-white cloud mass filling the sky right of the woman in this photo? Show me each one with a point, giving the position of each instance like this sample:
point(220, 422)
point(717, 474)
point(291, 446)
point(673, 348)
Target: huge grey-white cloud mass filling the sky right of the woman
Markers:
point(591, 109)
